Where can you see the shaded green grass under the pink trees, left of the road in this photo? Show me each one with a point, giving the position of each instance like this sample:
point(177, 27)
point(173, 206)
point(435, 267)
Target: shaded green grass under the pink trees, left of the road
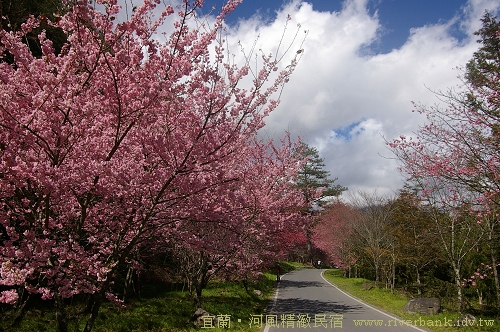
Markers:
point(163, 308)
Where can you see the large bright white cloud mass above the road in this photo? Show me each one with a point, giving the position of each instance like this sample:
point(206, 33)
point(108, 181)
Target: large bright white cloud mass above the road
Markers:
point(338, 84)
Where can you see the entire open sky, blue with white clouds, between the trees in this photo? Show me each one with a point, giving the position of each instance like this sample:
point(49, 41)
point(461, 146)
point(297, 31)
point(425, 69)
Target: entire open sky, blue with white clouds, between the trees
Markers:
point(363, 64)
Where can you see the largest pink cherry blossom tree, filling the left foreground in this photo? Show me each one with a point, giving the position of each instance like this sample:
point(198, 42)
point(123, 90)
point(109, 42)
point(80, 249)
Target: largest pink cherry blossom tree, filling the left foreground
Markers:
point(116, 139)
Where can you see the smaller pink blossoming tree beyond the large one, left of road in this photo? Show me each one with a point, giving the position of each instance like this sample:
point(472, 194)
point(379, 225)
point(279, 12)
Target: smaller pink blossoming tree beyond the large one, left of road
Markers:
point(245, 230)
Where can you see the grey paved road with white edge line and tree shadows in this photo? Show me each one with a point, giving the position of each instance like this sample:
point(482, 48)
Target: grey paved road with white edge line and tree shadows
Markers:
point(305, 300)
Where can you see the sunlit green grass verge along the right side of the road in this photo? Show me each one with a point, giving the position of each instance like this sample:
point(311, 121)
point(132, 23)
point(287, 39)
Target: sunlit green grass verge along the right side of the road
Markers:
point(394, 303)
